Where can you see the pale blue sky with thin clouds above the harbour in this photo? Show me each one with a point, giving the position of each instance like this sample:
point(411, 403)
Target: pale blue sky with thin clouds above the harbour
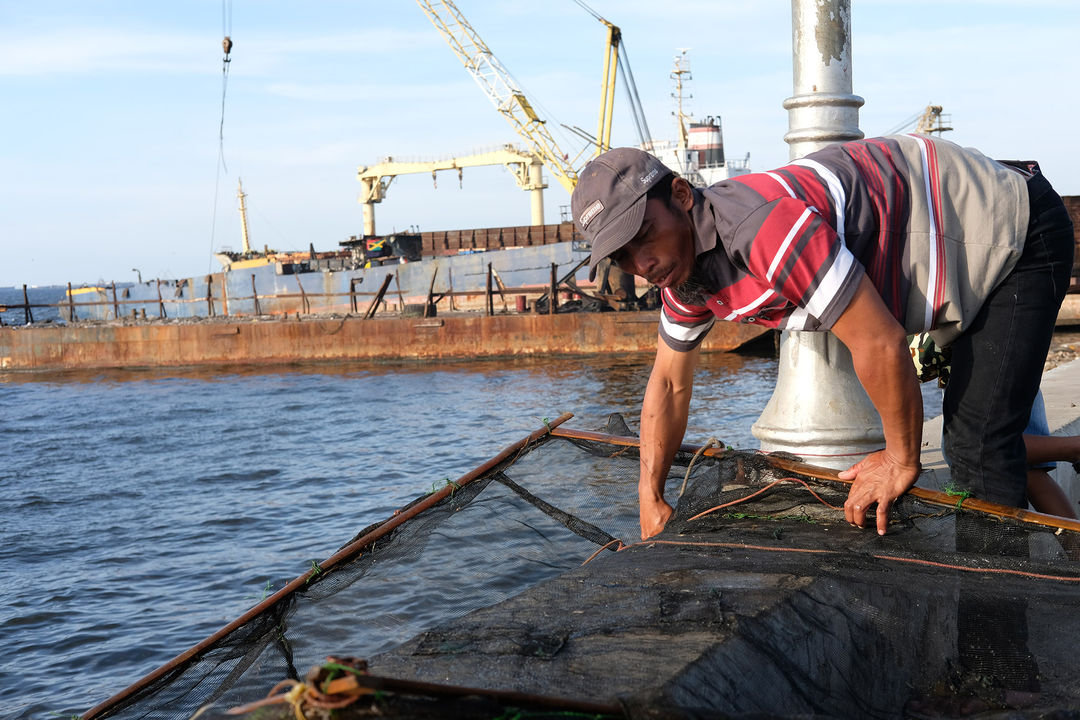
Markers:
point(110, 135)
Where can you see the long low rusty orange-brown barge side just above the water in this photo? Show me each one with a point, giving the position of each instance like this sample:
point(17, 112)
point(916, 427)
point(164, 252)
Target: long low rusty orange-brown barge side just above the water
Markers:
point(268, 342)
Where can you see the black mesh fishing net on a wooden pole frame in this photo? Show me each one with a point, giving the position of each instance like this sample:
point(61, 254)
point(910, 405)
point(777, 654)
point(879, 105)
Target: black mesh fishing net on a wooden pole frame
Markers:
point(522, 591)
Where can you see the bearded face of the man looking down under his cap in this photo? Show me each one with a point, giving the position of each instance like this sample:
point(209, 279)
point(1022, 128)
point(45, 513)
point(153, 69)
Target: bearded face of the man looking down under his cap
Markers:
point(663, 251)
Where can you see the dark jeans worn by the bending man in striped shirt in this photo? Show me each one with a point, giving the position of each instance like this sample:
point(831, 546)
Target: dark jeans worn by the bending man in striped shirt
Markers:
point(997, 363)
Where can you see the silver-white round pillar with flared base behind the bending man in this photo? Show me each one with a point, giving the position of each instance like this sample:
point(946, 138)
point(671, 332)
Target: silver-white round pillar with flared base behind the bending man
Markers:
point(819, 411)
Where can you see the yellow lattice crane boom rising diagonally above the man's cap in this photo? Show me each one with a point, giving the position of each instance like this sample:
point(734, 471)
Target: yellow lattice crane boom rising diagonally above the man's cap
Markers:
point(501, 88)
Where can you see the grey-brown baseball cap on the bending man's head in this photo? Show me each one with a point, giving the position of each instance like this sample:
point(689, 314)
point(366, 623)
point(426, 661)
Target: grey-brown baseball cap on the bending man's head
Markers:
point(609, 202)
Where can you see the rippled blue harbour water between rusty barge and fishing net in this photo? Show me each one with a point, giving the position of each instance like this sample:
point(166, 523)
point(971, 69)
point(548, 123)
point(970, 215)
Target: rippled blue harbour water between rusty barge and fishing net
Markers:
point(142, 511)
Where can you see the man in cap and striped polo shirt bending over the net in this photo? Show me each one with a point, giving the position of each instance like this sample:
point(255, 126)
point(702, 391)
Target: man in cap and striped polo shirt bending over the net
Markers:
point(873, 240)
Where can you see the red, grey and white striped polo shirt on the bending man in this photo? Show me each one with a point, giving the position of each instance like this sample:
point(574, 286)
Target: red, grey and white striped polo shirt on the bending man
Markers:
point(935, 227)
